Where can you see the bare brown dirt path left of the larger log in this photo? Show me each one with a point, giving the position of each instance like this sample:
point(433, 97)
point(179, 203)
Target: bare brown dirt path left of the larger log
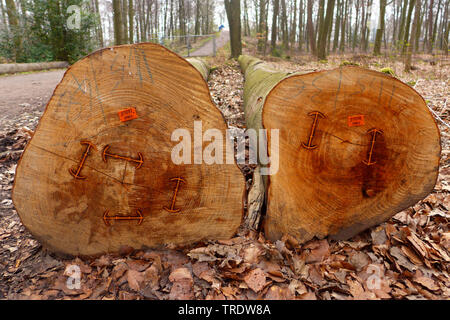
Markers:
point(26, 92)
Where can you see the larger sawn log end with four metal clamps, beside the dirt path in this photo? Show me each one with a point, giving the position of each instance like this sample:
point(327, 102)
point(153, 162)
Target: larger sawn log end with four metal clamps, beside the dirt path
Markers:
point(99, 173)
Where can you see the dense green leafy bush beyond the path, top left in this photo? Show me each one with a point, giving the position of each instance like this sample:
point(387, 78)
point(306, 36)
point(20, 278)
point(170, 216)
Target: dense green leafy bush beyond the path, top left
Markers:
point(45, 34)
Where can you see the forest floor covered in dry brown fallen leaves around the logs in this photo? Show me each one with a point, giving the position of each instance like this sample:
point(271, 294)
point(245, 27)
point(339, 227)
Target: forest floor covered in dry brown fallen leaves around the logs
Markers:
point(406, 257)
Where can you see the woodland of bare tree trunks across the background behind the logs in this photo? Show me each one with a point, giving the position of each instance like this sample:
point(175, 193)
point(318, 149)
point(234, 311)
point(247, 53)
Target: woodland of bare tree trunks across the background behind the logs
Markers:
point(37, 30)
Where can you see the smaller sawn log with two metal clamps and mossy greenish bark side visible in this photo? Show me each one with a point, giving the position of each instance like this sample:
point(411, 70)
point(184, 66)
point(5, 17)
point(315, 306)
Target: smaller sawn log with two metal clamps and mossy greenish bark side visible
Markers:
point(355, 147)
